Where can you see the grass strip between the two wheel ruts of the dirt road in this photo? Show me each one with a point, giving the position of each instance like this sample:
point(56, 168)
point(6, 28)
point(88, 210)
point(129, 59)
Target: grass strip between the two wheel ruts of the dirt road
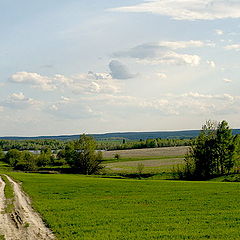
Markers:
point(9, 195)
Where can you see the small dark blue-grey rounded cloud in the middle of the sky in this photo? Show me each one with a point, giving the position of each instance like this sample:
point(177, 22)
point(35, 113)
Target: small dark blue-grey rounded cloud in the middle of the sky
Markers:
point(119, 70)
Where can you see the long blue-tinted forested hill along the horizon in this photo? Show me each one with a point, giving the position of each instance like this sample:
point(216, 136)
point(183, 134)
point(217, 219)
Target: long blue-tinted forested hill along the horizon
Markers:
point(187, 134)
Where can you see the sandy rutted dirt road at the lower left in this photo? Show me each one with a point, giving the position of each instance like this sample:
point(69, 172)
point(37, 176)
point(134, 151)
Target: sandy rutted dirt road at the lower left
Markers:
point(23, 223)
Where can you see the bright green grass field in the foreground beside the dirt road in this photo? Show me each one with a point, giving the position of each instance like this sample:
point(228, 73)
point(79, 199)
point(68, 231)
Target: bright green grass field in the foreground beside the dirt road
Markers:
point(91, 208)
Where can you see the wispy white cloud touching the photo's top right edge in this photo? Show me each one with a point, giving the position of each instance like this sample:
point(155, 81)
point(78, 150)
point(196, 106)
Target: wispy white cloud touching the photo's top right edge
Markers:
point(188, 9)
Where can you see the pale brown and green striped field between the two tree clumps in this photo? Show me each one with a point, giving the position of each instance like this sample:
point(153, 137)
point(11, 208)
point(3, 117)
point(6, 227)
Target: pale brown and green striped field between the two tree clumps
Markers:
point(154, 160)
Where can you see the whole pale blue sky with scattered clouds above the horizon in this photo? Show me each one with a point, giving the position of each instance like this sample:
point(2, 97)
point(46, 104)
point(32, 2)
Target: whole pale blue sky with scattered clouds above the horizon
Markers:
point(90, 66)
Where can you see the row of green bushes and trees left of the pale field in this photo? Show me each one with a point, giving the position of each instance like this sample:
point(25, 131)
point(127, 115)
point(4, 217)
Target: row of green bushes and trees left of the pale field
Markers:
point(81, 156)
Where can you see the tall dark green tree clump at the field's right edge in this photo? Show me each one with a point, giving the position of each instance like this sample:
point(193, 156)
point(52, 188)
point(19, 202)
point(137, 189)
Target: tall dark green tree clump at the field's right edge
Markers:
point(214, 152)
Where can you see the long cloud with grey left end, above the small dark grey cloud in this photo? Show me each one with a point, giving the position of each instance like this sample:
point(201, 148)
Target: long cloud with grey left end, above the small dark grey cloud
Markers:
point(165, 52)
